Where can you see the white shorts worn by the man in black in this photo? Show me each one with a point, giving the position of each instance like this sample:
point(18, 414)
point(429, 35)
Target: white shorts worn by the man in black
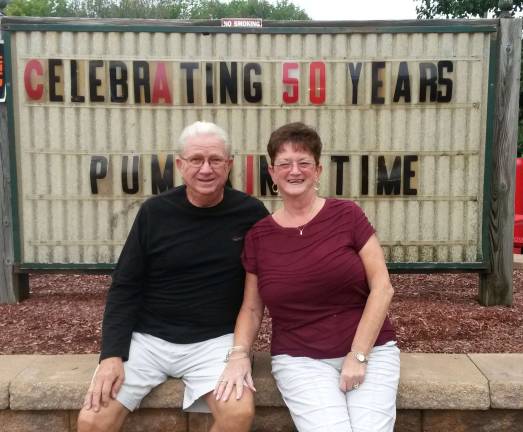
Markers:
point(152, 360)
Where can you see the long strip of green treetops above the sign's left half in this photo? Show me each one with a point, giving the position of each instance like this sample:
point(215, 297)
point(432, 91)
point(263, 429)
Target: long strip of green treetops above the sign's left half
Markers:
point(163, 9)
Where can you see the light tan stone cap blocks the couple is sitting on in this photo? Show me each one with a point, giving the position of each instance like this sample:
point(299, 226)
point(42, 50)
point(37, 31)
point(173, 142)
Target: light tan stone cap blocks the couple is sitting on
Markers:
point(428, 381)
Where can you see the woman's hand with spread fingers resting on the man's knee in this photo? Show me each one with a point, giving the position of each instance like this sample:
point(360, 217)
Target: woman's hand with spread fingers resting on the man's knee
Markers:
point(237, 373)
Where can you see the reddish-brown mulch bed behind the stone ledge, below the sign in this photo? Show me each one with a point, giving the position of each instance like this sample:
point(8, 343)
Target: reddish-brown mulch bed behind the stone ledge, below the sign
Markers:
point(432, 313)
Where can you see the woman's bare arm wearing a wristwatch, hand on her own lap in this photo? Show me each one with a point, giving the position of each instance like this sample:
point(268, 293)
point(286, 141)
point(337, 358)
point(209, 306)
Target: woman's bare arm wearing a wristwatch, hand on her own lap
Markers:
point(374, 314)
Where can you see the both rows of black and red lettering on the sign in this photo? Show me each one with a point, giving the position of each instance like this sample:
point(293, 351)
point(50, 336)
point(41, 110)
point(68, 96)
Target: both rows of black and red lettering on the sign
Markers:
point(197, 84)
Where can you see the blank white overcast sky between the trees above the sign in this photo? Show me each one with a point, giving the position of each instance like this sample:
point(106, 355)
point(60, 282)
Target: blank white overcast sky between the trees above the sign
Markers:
point(358, 9)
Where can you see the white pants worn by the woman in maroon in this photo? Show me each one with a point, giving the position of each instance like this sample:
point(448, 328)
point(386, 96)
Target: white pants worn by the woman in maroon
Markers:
point(310, 388)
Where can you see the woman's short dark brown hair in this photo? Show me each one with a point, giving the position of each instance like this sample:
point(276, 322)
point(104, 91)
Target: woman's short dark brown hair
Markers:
point(300, 135)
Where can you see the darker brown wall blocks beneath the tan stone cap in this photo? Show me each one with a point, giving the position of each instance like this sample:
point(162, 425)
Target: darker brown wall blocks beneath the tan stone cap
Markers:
point(267, 419)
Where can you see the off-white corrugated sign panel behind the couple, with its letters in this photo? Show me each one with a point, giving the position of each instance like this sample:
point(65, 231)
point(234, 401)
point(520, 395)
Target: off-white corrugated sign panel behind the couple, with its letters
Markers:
point(69, 135)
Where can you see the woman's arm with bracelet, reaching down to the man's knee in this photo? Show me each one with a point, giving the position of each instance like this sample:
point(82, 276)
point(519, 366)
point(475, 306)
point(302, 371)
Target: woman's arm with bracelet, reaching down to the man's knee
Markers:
point(238, 369)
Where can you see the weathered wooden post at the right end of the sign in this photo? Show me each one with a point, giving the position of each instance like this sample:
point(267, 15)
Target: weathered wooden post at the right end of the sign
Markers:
point(496, 286)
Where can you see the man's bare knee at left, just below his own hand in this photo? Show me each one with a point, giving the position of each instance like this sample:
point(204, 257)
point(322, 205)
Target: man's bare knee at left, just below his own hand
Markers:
point(108, 419)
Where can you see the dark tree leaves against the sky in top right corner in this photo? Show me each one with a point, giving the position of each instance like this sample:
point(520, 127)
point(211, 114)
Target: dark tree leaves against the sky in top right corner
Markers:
point(427, 9)
